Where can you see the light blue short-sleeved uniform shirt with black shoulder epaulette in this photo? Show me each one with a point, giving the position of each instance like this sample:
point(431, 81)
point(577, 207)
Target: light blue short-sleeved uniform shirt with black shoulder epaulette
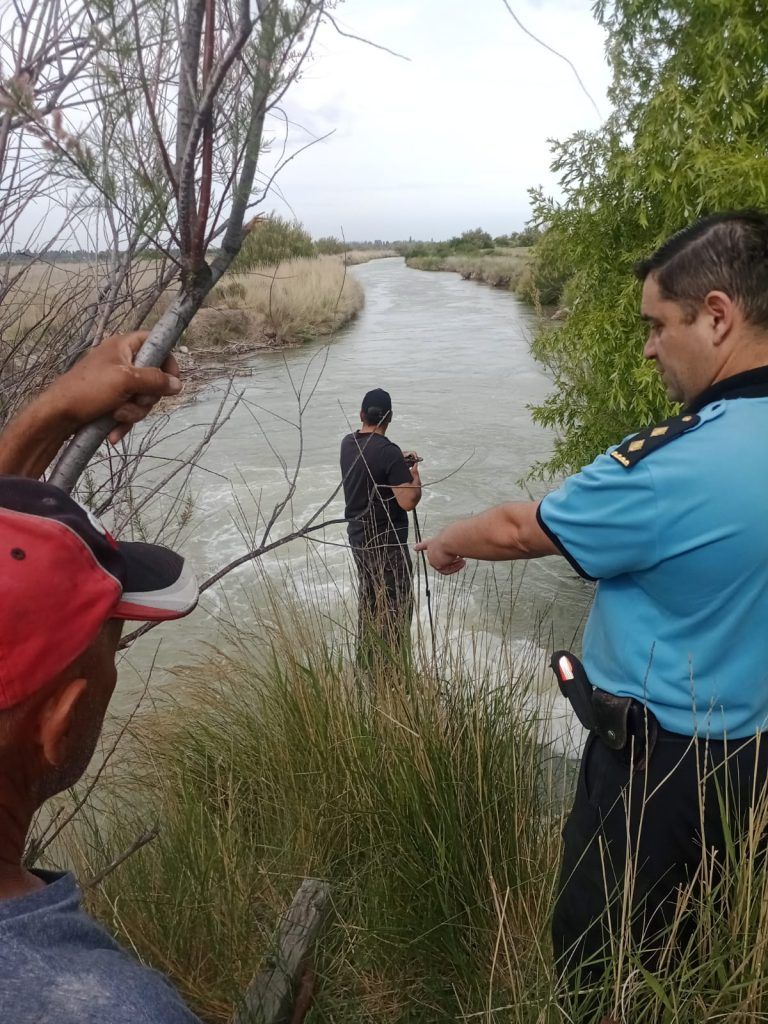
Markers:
point(679, 546)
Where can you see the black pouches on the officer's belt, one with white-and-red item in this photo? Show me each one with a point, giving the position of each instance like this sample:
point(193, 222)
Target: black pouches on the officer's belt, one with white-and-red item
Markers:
point(624, 724)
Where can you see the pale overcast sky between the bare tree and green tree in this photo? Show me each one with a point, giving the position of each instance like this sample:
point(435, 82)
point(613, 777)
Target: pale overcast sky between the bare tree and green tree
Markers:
point(453, 138)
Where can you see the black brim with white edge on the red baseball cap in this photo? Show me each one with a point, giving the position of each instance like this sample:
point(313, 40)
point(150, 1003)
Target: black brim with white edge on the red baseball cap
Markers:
point(158, 584)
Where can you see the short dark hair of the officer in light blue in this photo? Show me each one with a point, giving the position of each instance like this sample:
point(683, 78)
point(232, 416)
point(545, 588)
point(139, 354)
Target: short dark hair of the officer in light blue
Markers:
point(728, 252)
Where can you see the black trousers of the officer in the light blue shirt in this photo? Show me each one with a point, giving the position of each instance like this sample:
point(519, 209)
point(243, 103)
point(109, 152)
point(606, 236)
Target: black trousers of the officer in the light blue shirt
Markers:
point(661, 820)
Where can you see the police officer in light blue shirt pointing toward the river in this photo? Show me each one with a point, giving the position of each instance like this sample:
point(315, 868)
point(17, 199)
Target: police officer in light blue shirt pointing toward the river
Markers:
point(673, 526)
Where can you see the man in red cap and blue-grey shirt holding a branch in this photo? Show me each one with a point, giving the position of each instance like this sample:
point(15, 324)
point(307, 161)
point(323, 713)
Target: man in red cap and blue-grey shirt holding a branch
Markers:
point(66, 588)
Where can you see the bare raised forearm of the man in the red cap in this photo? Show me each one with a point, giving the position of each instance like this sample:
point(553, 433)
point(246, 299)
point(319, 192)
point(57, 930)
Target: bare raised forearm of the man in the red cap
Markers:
point(31, 441)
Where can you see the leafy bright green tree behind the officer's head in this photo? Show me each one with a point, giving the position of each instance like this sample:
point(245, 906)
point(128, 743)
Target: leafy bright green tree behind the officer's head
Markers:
point(687, 138)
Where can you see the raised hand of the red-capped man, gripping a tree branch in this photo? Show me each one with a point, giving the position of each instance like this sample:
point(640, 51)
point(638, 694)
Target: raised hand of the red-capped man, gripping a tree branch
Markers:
point(105, 380)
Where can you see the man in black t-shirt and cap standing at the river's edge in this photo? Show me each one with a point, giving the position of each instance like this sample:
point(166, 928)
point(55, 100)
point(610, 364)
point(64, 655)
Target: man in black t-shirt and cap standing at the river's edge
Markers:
point(381, 487)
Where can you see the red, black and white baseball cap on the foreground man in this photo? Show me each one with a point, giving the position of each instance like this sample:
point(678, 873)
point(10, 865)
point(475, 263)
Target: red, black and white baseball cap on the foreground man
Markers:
point(63, 576)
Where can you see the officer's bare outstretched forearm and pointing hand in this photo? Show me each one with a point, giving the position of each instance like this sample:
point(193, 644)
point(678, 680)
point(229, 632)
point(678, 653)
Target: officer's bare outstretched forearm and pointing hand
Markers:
point(507, 532)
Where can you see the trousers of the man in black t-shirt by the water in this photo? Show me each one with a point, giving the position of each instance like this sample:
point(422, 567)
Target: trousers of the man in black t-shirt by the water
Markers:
point(386, 600)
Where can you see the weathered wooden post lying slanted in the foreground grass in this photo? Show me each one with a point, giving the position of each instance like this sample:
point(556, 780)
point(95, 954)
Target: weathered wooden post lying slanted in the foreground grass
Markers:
point(270, 999)
